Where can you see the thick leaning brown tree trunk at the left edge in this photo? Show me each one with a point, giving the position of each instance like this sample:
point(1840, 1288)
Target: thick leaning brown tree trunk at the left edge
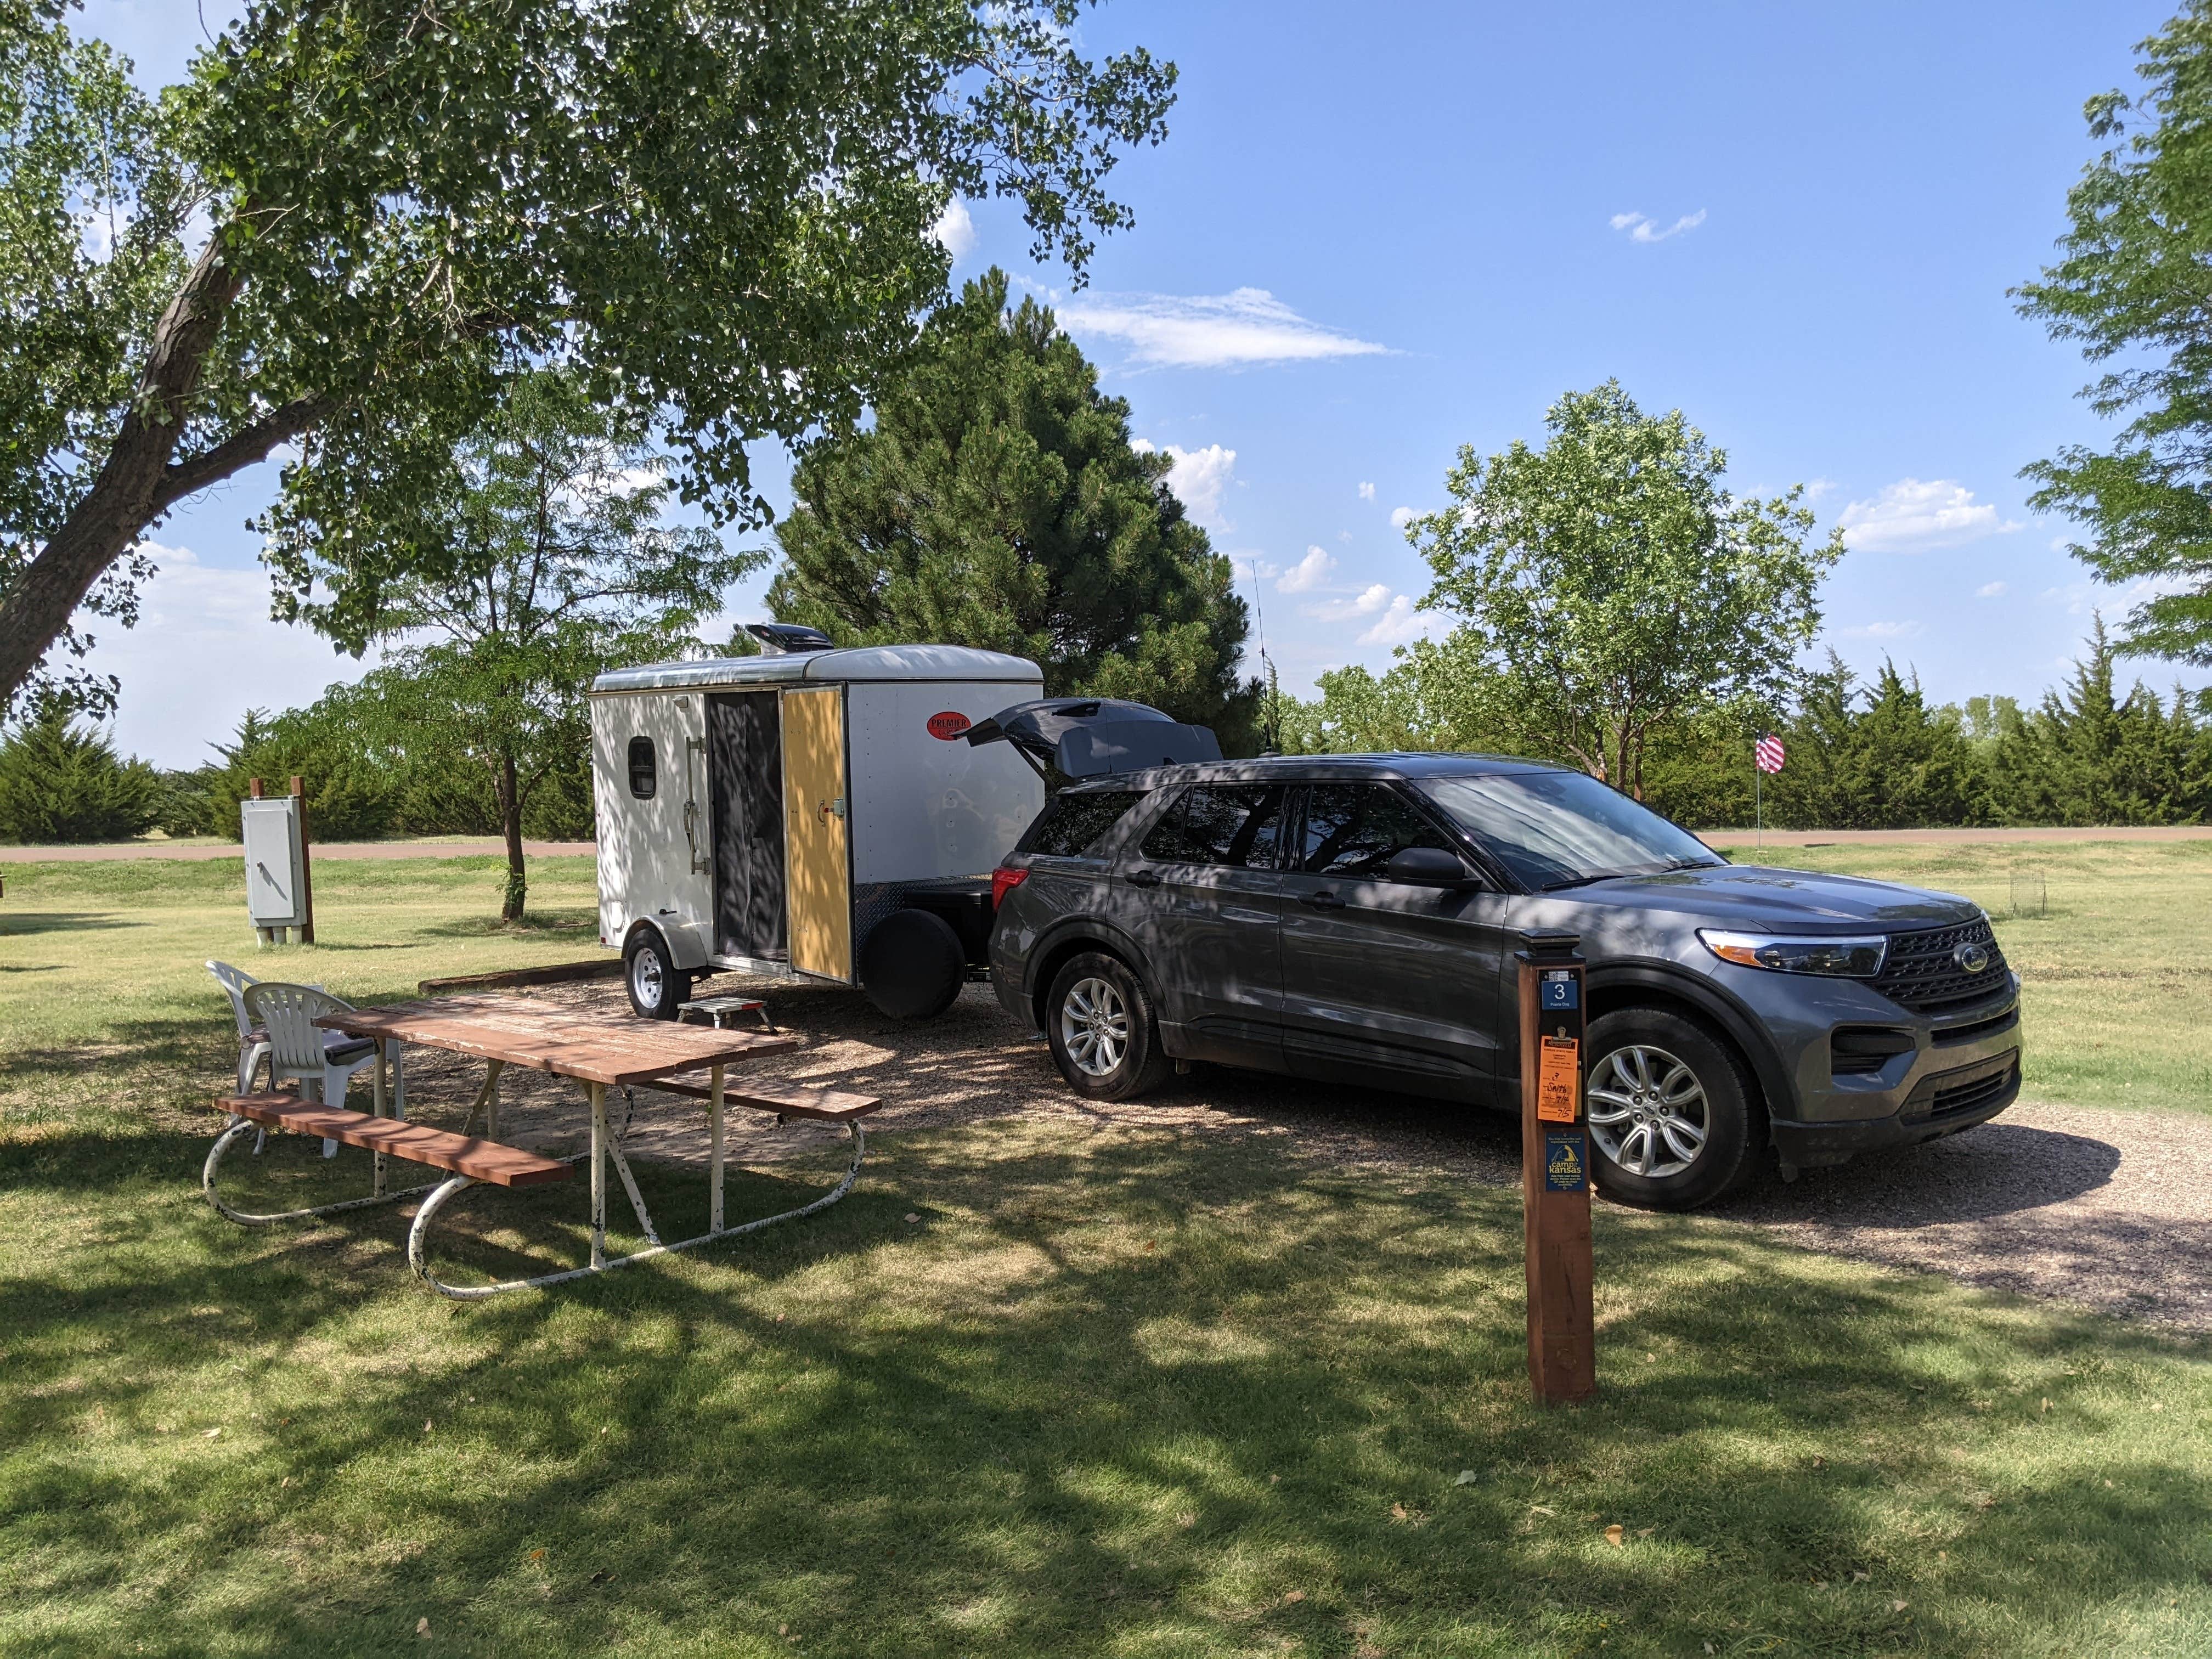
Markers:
point(129, 492)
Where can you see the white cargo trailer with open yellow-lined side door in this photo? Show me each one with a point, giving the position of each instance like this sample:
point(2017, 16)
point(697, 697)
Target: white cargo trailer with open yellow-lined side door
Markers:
point(806, 813)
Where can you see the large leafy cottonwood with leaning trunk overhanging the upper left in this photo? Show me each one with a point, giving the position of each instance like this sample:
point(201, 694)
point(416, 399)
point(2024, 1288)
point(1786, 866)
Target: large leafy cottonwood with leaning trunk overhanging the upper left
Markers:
point(359, 218)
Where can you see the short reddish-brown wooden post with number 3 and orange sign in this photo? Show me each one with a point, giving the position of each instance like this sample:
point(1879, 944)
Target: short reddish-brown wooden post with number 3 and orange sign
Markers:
point(1556, 1169)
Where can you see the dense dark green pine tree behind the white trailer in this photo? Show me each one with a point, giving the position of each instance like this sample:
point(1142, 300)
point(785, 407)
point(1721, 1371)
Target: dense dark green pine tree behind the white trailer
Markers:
point(999, 503)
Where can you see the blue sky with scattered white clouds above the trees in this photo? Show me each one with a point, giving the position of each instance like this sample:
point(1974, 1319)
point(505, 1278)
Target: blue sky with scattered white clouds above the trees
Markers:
point(1381, 233)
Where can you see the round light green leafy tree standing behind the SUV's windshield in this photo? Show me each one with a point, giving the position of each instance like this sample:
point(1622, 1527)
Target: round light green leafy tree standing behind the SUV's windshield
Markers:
point(1607, 585)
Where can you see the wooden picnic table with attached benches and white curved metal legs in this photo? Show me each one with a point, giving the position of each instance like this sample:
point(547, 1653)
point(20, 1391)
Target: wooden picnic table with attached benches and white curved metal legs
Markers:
point(596, 1052)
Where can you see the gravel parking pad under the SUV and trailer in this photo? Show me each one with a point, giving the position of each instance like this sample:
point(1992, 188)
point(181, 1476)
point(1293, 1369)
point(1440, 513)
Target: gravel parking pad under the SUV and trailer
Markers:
point(2103, 1209)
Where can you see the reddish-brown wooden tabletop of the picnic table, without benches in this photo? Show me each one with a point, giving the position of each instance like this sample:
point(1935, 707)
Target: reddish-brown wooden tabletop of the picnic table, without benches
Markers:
point(561, 1041)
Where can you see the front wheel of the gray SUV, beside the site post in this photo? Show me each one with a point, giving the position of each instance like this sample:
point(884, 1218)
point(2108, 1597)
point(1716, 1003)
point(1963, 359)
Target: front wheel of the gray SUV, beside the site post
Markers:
point(1671, 1114)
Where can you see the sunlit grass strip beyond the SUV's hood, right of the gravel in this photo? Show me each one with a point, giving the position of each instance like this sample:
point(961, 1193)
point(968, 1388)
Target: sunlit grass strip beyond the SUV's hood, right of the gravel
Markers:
point(2118, 970)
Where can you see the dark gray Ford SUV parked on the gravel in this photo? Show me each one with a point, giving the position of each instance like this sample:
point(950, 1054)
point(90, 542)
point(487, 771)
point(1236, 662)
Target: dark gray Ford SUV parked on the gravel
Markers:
point(1355, 919)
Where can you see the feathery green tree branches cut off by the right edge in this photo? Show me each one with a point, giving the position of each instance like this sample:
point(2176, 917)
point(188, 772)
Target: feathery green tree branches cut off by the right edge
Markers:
point(2129, 289)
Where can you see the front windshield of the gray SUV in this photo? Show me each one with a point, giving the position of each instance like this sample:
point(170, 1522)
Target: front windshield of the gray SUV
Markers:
point(1565, 828)
